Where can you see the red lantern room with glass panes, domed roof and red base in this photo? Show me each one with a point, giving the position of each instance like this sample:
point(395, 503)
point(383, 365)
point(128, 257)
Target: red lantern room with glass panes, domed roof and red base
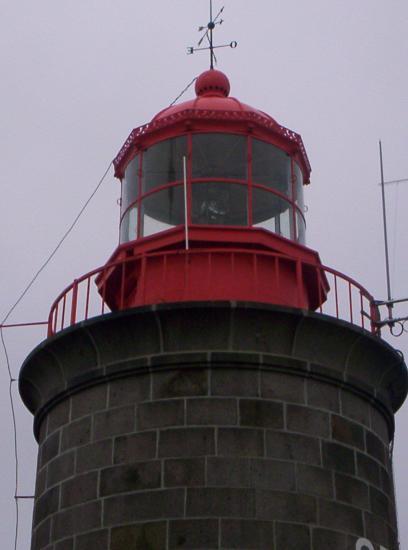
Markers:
point(212, 208)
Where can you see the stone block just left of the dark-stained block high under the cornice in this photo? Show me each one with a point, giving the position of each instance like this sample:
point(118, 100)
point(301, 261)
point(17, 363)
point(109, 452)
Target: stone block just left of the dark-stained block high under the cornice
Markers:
point(129, 391)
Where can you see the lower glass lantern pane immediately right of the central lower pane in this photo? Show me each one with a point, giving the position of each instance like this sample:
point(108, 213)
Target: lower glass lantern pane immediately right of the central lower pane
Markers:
point(272, 212)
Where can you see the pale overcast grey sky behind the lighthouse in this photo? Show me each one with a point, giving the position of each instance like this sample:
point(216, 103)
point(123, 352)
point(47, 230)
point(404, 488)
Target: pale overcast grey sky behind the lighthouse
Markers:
point(76, 77)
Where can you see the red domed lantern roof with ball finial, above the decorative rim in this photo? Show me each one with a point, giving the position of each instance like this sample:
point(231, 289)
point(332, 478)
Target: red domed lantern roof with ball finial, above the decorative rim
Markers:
point(212, 94)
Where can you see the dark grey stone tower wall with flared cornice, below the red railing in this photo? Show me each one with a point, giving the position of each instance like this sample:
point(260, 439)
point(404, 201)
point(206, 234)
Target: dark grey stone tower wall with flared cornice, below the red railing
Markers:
point(196, 428)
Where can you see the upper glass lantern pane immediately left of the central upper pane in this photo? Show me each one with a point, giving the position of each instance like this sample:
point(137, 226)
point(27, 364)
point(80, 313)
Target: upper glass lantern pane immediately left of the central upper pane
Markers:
point(163, 163)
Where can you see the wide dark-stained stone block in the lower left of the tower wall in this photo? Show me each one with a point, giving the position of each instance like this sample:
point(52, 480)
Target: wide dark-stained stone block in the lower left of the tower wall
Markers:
point(138, 476)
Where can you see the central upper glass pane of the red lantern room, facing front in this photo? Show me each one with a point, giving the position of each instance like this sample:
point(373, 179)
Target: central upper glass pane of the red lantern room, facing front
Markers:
point(220, 156)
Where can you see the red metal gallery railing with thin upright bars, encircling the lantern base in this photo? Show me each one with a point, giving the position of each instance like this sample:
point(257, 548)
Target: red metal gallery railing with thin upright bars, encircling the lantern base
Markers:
point(347, 299)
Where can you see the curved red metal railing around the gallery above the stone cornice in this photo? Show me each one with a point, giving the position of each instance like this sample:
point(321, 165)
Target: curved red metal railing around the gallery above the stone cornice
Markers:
point(341, 309)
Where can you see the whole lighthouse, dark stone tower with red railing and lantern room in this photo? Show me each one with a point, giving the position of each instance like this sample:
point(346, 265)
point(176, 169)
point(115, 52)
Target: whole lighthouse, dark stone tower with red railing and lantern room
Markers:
point(213, 386)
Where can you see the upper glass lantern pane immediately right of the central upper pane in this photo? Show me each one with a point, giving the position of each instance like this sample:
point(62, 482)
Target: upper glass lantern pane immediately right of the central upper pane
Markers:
point(271, 167)
